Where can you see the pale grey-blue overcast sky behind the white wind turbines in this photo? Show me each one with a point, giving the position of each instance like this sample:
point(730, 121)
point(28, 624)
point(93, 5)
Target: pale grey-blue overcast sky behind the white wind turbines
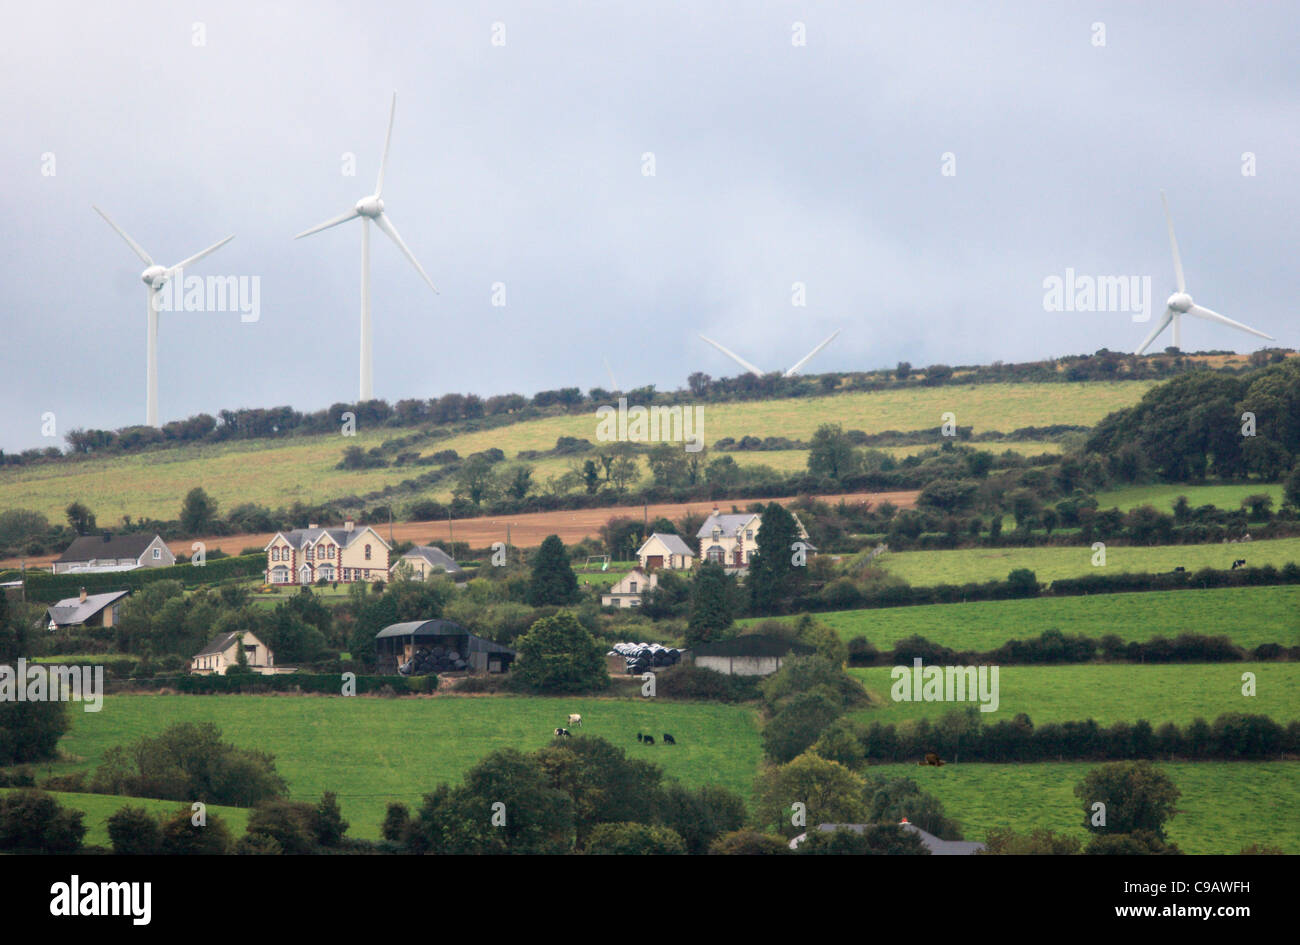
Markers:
point(523, 164)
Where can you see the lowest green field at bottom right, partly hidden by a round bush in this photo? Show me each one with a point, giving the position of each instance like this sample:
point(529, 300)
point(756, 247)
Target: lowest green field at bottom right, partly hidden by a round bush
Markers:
point(1223, 808)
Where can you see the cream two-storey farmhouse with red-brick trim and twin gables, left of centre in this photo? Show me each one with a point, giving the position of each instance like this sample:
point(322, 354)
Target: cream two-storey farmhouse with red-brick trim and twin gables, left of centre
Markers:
point(307, 556)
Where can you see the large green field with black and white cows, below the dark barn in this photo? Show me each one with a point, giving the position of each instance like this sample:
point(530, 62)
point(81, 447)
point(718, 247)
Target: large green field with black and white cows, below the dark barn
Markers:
point(375, 751)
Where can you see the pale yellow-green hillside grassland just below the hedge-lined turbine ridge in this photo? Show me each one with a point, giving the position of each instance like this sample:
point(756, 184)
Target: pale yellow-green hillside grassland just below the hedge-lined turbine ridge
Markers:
point(302, 469)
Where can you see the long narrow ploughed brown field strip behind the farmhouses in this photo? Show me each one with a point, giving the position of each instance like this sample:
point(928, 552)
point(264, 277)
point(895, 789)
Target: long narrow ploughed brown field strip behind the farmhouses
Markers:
point(526, 531)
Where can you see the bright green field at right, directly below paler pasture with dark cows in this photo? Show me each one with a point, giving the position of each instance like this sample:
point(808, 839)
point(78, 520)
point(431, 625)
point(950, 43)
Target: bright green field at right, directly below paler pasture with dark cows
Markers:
point(1250, 617)
